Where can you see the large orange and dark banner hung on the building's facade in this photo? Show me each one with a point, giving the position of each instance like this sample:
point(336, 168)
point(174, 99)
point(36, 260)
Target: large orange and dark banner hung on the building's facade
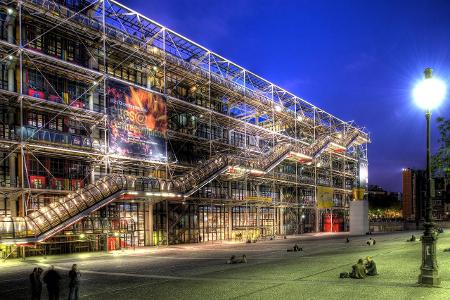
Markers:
point(138, 122)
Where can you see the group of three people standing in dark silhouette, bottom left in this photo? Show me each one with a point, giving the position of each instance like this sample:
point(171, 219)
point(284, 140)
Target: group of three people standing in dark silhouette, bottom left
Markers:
point(52, 278)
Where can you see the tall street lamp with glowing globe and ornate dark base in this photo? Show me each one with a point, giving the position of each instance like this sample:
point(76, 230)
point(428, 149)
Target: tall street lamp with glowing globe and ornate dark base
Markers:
point(428, 94)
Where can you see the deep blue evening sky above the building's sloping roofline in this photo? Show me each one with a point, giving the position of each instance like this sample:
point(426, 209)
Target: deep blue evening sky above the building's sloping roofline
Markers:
point(356, 59)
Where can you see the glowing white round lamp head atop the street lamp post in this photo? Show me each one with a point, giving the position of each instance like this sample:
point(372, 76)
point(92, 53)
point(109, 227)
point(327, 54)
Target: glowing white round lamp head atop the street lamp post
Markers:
point(430, 92)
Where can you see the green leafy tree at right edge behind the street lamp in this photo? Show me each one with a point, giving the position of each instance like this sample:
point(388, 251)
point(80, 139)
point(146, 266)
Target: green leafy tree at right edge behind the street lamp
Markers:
point(440, 161)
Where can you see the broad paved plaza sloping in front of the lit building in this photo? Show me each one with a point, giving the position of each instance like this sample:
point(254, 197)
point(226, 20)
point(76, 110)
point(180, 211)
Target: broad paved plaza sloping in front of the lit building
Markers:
point(200, 271)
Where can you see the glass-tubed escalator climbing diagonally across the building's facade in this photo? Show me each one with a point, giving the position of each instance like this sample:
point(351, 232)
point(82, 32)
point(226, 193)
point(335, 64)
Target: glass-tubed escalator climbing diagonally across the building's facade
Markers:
point(51, 219)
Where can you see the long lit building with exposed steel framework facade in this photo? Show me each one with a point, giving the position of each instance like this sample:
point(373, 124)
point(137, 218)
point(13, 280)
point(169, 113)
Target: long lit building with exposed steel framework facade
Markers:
point(243, 157)
